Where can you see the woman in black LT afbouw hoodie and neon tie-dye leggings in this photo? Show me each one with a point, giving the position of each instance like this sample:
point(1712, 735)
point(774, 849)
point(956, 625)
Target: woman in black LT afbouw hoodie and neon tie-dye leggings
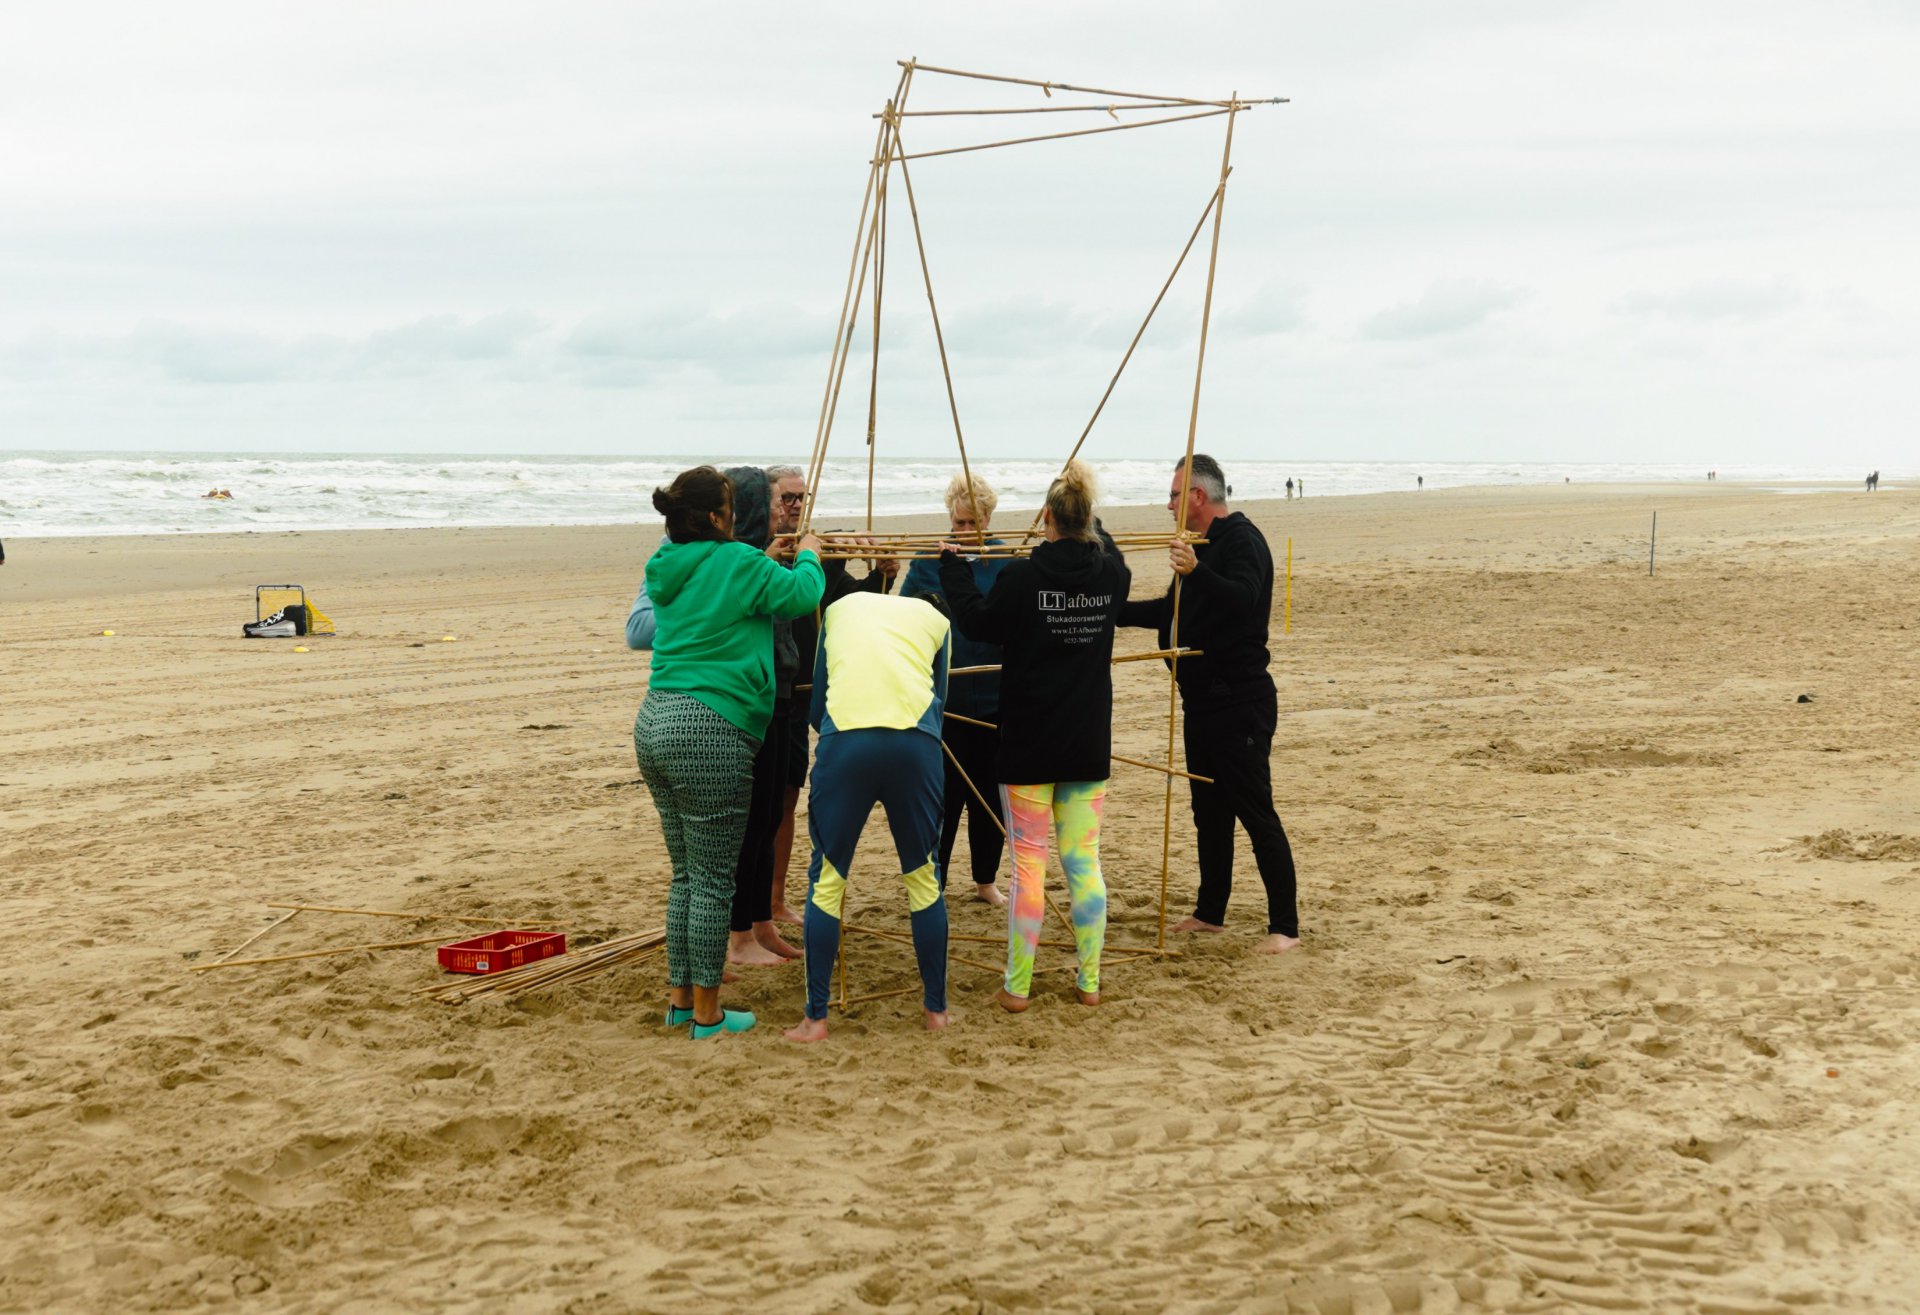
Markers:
point(1053, 615)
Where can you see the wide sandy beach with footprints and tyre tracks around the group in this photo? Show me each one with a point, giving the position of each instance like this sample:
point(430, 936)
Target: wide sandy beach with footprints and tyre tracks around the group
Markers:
point(1610, 992)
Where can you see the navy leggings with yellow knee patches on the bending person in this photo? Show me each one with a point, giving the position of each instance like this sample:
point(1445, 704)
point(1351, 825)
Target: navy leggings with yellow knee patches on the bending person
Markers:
point(855, 771)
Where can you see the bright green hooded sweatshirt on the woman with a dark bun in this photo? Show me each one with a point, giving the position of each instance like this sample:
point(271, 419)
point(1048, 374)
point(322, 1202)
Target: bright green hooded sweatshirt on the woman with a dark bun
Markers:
point(715, 604)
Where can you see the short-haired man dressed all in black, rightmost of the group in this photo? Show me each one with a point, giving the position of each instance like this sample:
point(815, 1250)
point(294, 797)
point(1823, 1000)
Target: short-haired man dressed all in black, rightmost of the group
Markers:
point(1228, 696)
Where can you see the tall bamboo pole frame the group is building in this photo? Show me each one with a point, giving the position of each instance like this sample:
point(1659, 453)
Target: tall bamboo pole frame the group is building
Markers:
point(871, 258)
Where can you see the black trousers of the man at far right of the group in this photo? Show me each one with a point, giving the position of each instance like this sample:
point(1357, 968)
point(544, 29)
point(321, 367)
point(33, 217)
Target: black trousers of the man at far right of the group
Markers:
point(1234, 744)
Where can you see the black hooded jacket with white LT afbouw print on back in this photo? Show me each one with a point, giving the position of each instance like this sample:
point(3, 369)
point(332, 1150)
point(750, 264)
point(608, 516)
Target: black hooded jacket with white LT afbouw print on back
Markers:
point(1055, 617)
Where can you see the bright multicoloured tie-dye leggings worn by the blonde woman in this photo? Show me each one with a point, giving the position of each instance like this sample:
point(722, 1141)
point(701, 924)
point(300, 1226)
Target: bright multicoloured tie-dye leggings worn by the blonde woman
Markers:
point(1074, 811)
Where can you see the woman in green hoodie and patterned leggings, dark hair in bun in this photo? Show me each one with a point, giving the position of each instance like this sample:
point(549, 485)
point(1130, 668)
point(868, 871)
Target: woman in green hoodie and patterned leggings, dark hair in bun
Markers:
point(706, 713)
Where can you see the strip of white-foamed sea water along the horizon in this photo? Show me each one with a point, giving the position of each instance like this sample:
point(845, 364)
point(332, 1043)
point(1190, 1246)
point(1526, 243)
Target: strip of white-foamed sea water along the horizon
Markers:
point(60, 494)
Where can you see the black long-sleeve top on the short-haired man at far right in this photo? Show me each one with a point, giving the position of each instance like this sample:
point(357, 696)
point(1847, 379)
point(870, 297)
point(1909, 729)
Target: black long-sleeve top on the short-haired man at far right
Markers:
point(1226, 606)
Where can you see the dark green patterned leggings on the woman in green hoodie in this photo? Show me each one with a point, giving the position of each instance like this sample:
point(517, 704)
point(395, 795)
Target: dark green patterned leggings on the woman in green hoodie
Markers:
point(700, 769)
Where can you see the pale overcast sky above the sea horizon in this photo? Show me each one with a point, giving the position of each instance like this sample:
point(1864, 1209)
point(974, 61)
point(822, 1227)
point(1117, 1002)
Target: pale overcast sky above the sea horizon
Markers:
point(1477, 231)
